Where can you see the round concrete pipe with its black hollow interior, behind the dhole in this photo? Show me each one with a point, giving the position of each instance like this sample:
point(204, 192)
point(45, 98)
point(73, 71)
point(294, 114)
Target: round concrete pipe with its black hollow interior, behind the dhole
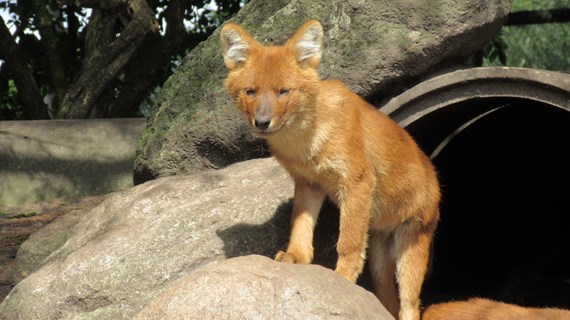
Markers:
point(500, 139)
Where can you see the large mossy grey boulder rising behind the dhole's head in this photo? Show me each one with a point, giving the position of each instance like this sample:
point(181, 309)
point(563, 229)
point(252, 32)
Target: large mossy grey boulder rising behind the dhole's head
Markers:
point(375, 47)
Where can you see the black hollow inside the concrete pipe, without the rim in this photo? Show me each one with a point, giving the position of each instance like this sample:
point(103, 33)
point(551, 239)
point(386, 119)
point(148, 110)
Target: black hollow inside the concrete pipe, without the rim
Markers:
point(504, 231)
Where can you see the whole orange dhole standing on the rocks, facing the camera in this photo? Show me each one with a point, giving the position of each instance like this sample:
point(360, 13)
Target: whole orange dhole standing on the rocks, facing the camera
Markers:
point(335, 144)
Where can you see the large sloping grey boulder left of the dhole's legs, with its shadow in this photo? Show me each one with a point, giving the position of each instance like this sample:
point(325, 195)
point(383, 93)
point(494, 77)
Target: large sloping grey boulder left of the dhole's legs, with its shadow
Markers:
point(111, 261)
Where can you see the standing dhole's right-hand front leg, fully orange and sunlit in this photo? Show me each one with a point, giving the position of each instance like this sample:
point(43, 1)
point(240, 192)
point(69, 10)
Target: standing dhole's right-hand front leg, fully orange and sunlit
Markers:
point(355, 213)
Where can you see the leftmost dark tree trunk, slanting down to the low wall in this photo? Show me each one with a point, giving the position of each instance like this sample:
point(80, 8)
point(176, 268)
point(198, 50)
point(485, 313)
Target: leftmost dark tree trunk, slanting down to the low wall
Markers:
point(28, 91)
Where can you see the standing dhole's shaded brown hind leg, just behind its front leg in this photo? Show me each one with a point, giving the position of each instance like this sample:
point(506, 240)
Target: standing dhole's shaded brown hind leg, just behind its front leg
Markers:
point(382, 266)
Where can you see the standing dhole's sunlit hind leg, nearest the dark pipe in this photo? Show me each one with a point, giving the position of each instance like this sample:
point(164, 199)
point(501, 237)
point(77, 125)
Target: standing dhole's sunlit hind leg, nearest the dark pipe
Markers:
point(412, 247)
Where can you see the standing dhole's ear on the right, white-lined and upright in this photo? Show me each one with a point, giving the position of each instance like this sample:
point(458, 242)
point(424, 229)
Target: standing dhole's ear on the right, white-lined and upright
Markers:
point(307, 42)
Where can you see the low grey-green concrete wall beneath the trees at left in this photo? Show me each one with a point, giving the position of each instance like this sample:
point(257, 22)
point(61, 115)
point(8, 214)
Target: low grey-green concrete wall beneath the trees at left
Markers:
point(48, 159)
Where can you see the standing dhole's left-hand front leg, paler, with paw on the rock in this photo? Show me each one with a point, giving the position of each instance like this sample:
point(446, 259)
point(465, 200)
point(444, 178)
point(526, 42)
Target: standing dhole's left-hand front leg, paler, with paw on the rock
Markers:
point(306, 207)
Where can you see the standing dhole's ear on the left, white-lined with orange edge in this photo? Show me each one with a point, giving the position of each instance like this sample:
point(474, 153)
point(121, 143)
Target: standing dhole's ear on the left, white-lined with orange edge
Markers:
point(236, 44)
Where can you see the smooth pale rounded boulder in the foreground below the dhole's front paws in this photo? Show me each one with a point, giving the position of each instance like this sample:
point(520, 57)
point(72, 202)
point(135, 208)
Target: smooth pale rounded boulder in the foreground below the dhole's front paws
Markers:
point(256, 287)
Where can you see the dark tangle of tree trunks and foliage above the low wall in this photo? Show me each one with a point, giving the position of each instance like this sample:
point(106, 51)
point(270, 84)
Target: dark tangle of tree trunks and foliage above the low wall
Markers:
point(95, 58)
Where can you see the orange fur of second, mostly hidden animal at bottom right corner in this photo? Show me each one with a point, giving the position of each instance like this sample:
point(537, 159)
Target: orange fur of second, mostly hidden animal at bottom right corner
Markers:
point(483, 309)
